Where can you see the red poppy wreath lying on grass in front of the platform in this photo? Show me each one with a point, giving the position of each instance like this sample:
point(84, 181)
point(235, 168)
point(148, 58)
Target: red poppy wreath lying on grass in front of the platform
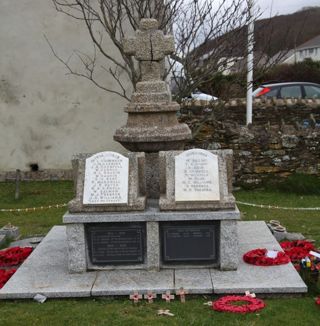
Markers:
point(227, 304)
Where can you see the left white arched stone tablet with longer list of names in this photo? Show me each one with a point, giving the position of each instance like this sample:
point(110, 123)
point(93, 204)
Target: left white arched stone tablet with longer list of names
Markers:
point(106, 179)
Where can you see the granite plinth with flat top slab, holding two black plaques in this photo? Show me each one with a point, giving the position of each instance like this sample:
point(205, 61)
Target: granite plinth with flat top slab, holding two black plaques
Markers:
point(215, 230)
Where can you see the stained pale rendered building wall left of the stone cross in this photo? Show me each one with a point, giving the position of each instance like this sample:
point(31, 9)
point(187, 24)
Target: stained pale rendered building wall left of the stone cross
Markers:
point(46, 116)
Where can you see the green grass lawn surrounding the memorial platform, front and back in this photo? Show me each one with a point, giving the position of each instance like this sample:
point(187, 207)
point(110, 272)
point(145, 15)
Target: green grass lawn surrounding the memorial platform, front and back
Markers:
point(106, 311)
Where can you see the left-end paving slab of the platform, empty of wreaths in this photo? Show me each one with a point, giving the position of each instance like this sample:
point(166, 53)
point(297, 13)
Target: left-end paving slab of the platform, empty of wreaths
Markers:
point(45, 272)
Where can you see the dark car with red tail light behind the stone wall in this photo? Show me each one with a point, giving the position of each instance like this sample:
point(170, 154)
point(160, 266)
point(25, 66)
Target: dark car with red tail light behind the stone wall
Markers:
point(288, 90)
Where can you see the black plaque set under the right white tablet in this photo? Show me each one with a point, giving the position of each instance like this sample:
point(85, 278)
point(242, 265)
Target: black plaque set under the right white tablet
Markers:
point(189, 242)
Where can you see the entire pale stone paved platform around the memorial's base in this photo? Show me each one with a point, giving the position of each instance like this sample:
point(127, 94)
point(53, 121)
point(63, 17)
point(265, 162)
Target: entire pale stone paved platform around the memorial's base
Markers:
point(45, 271)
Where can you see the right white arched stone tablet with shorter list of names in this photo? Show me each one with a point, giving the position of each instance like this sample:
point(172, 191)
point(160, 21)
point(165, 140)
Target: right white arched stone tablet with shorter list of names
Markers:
point(196, 176)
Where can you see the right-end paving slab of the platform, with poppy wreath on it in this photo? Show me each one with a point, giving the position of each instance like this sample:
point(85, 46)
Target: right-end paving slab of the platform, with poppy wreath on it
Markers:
point(258, 279)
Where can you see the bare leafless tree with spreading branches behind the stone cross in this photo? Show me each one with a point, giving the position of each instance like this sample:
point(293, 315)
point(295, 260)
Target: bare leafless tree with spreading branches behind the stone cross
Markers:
point(197, 25)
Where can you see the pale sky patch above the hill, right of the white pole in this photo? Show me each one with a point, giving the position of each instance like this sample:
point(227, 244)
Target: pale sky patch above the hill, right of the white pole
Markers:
point(278, 7)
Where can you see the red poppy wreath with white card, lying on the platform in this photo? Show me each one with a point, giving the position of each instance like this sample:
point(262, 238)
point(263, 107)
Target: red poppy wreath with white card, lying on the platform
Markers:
point(259, 257)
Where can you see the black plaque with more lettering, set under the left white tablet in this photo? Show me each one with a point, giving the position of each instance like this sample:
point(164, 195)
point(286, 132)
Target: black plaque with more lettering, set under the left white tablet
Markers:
point(116, 243)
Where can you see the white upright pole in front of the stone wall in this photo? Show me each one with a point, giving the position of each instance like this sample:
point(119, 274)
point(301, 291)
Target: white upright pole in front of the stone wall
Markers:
point(250, 61)
